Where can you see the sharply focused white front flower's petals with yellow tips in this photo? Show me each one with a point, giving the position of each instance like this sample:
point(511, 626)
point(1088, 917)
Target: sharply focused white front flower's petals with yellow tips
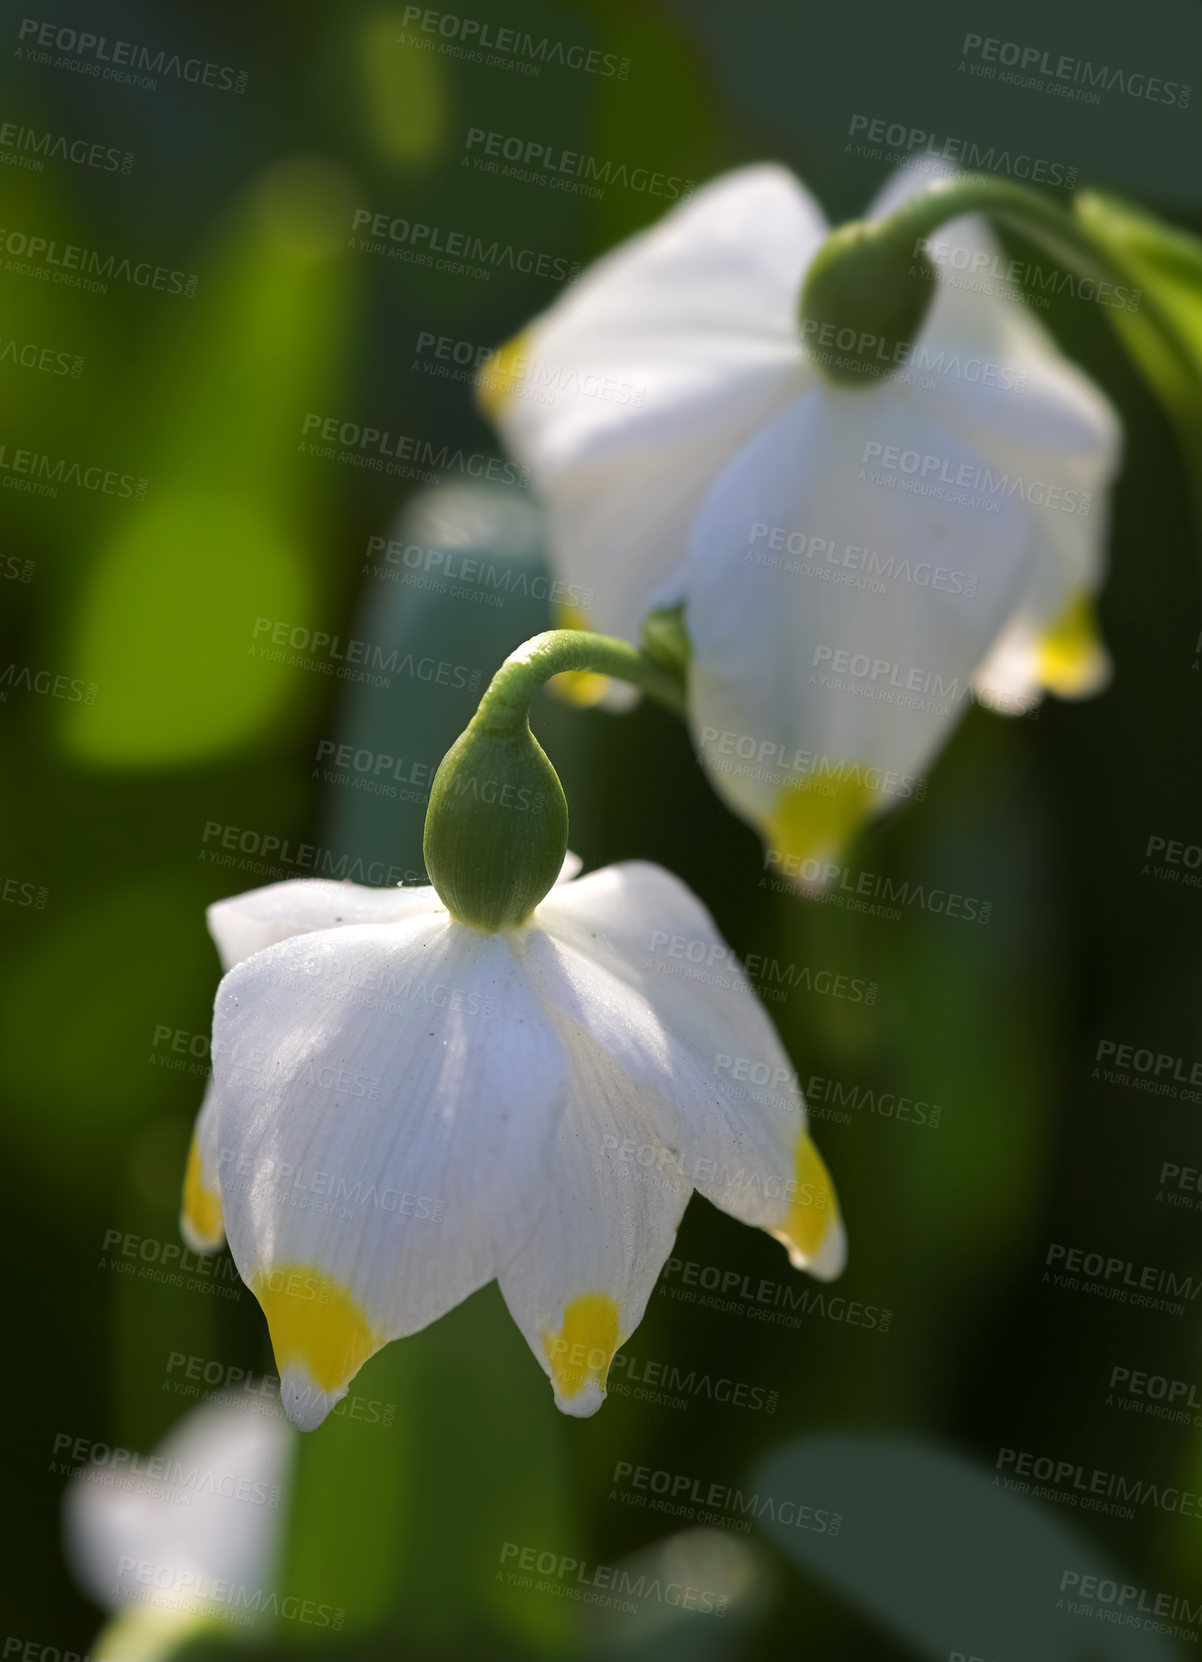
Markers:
point(408, 1108)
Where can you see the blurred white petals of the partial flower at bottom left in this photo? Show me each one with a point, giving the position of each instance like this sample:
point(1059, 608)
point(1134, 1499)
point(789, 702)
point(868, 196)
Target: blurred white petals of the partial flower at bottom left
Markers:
point(207, 1510)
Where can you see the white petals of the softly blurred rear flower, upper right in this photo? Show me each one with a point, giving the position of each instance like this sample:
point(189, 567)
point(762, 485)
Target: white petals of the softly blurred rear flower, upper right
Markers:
point(855, 563)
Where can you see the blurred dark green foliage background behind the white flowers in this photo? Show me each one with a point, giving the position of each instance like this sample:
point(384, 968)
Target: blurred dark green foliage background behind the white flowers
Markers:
point(150, 724)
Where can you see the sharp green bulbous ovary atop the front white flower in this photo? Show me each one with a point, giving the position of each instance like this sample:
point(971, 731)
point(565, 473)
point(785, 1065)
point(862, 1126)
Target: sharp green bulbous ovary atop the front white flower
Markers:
point(496, 827)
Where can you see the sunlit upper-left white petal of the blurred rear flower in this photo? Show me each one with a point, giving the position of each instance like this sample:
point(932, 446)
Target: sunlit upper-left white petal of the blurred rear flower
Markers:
point(697, 315)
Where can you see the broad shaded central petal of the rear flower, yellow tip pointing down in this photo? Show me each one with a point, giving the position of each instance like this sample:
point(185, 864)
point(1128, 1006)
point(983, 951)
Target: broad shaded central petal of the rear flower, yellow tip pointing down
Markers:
point(817, 704)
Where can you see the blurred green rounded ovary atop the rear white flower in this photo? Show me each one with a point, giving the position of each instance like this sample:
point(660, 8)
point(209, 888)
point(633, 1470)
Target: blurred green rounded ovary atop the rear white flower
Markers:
point(864, 302)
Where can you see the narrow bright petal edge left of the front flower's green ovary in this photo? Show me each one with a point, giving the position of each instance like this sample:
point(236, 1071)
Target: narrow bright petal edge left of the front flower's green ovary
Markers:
point(249, 923)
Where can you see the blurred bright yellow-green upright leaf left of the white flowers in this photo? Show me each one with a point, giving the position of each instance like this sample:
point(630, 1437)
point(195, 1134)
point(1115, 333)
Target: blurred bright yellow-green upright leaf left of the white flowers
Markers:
point(229, 529)
